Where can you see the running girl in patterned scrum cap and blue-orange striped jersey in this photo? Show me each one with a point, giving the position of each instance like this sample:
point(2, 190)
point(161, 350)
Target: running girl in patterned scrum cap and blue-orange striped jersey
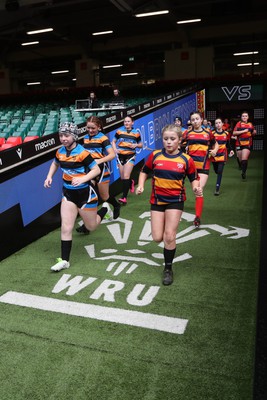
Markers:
point(79, 196)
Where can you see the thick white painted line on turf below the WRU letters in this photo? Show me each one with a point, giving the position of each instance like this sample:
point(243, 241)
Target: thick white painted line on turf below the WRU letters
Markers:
point(110, 314)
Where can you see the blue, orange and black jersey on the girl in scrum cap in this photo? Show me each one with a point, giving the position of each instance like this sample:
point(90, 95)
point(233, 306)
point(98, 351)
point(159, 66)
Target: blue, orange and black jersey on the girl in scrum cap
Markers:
point(74, 163)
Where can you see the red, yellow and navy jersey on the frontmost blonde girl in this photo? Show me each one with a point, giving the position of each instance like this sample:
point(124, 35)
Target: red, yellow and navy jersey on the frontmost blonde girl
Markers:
point(168, 175)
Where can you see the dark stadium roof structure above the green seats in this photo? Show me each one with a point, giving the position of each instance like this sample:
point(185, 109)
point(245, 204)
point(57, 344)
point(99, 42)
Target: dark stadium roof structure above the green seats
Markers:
point(138, 44)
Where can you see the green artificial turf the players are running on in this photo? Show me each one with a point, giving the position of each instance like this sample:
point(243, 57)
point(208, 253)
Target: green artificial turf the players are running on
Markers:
point(51, 355)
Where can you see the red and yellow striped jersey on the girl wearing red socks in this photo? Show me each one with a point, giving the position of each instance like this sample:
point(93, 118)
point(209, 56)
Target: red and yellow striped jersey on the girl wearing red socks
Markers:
point(198, 145)
